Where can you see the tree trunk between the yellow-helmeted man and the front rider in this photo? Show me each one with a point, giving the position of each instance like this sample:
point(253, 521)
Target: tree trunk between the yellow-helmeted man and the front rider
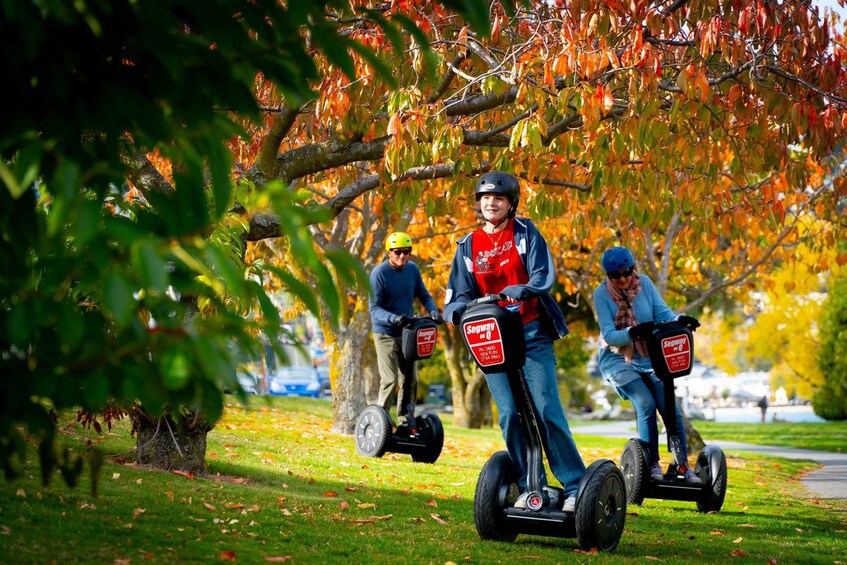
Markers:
point(471, 398)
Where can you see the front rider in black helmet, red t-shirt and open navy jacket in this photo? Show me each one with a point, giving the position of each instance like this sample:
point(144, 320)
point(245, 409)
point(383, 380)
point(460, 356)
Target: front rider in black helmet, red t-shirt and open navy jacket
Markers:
point(509, 256)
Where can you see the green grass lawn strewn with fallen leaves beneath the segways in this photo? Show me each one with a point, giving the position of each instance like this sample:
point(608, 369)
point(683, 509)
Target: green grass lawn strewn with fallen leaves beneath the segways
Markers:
point(281, 487)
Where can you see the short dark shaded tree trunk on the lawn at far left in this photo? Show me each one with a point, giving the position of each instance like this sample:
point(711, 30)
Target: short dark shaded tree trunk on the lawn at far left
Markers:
point(171, 442)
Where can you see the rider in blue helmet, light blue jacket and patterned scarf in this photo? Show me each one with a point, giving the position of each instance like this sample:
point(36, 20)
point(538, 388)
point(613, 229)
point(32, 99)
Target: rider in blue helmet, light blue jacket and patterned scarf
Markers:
point(624, 300)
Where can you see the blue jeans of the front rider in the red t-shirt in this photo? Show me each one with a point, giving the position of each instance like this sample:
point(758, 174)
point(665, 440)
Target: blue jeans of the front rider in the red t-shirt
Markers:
point(540, 373)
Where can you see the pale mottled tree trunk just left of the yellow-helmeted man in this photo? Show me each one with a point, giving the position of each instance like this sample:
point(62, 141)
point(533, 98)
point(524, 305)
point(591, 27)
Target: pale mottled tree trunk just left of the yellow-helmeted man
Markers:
point(347, 364)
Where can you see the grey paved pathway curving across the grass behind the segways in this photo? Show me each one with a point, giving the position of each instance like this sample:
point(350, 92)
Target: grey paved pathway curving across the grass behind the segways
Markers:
point(828, 482)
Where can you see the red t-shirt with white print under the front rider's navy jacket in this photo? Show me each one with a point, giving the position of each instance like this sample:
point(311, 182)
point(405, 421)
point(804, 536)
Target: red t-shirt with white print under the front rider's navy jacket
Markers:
point(497, 265)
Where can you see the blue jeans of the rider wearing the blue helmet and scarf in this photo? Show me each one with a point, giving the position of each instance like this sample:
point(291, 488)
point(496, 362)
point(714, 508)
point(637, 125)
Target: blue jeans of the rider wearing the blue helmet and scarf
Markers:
point(647, 394)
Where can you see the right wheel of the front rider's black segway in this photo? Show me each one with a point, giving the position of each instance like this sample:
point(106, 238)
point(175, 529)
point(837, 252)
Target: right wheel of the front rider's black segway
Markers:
point(601, 506)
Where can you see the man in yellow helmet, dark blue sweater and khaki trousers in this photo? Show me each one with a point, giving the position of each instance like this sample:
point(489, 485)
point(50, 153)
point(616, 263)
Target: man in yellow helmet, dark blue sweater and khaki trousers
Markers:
point(395, 285)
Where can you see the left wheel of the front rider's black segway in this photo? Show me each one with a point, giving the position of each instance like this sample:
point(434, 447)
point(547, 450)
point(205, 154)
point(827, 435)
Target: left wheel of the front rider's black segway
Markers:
point(497, 478)
